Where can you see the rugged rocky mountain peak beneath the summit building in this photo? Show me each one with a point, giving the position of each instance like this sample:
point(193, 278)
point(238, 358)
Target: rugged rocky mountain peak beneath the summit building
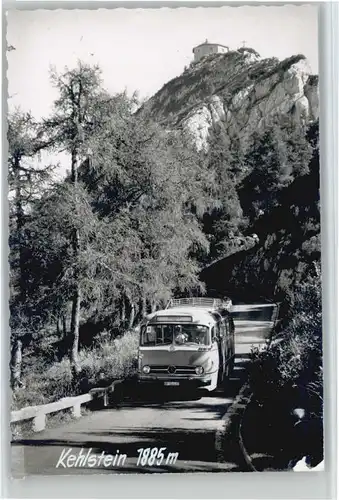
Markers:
point(239, 91)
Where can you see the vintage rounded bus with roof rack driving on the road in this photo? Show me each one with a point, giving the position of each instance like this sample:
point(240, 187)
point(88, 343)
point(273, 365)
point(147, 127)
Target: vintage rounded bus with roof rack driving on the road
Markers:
point(189, 343)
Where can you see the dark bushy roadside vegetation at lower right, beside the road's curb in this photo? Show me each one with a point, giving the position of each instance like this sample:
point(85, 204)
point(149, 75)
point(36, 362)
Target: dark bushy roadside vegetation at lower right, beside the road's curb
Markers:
point(287, 376)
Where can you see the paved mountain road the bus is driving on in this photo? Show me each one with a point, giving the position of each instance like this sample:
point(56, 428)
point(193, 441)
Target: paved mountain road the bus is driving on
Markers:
point(187, 427)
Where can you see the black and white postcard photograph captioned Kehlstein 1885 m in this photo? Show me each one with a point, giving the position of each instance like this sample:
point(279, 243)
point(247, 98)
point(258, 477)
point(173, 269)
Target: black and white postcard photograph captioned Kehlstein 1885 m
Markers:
point(165, 282)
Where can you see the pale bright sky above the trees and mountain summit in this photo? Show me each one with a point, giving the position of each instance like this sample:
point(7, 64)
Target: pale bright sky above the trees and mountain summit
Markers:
point(142, 49)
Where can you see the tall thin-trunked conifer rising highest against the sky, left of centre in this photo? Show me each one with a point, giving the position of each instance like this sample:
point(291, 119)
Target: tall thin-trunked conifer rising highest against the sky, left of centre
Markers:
point(75, 116)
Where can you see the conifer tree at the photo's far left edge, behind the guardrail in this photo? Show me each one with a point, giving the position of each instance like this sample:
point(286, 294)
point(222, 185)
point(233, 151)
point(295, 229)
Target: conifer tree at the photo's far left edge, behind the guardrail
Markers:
point(26, 181)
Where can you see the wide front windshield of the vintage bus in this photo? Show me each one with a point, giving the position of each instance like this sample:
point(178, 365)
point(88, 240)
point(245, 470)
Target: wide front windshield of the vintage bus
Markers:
point(174, 334)
